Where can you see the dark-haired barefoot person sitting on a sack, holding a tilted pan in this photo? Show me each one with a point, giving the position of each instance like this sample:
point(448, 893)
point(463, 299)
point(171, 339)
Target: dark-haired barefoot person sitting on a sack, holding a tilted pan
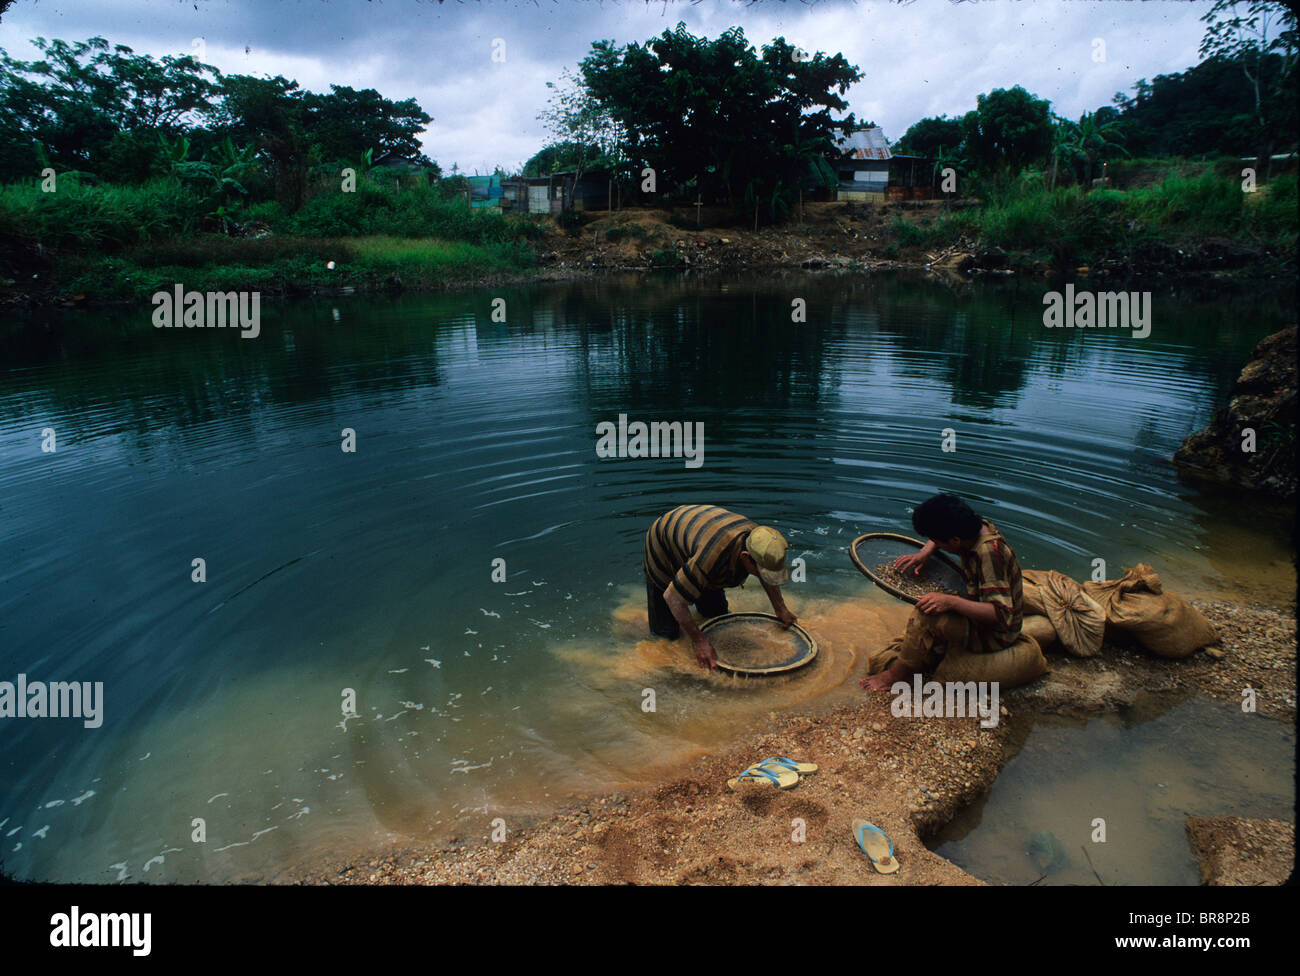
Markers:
point(986, 621)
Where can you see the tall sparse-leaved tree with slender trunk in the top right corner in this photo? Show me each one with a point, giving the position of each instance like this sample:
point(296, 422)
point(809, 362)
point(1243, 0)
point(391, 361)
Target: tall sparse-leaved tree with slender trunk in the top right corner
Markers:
point(1262, 38)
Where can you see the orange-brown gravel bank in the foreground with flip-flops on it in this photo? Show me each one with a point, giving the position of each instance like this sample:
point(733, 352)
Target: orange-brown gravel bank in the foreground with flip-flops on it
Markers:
point(907, 775)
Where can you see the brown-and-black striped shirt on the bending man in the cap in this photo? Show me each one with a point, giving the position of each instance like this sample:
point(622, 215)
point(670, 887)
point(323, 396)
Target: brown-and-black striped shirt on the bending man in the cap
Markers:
point(696, 549)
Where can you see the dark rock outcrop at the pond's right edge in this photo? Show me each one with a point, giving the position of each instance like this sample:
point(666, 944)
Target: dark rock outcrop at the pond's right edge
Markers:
point(1264, 401)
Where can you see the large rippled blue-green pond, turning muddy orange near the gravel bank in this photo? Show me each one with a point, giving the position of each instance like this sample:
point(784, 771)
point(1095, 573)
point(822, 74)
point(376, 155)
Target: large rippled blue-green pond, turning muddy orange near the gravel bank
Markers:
point(371, 572)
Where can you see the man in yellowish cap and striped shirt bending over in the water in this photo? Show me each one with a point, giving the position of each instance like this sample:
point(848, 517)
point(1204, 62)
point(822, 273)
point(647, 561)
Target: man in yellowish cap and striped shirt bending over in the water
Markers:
point(692, 554)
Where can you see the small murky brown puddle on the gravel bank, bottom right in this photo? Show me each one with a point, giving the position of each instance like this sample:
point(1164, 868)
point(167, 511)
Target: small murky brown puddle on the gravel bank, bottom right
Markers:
point(1107, 801)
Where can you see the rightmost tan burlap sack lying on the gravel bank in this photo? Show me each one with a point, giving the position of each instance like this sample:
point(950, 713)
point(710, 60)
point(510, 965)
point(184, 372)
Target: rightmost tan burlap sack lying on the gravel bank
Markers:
point(1160, 622)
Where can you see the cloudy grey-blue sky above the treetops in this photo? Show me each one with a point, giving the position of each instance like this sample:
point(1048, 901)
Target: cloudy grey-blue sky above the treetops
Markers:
point(920, 59)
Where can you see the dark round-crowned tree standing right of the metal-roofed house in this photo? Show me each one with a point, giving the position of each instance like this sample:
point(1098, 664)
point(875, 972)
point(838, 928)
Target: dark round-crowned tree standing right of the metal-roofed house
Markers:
point(1008, 131)
